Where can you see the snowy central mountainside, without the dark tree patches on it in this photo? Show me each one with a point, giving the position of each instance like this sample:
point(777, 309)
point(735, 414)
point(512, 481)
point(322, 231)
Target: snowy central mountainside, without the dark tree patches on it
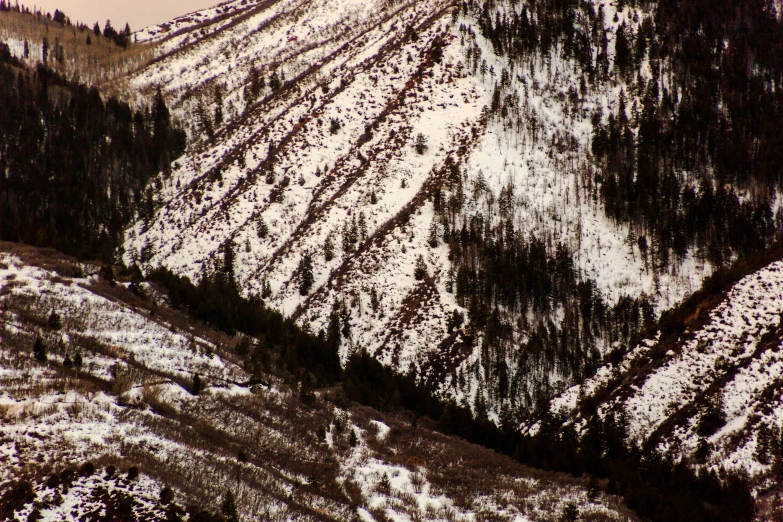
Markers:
point(315, 163)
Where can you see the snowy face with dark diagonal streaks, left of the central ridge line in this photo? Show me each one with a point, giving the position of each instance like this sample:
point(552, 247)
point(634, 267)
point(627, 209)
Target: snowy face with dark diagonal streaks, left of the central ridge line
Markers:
point(405, 95)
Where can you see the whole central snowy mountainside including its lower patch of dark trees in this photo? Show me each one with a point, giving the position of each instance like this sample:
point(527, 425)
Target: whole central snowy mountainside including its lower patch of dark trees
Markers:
point(304, 172)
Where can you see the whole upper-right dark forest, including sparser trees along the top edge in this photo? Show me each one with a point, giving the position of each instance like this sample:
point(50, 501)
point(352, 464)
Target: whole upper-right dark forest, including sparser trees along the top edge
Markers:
point(695, 161)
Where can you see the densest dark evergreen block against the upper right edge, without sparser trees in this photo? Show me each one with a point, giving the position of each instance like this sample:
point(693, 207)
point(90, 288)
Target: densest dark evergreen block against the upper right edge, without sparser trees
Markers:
point(700, 162)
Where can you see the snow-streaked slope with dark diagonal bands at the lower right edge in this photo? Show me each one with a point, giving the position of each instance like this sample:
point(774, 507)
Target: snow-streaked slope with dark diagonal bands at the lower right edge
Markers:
point(712, 394)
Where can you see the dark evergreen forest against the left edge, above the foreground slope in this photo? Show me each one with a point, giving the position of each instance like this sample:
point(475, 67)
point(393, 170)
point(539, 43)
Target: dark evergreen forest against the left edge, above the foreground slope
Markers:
point(75, 168)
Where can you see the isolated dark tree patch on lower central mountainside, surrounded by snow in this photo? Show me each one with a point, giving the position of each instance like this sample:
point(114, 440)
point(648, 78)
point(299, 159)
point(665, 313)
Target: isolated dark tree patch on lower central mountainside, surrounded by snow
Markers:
point(539, 319)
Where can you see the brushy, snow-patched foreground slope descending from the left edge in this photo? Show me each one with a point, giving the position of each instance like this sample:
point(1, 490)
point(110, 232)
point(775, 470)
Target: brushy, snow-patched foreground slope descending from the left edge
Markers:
point(115, 390)
